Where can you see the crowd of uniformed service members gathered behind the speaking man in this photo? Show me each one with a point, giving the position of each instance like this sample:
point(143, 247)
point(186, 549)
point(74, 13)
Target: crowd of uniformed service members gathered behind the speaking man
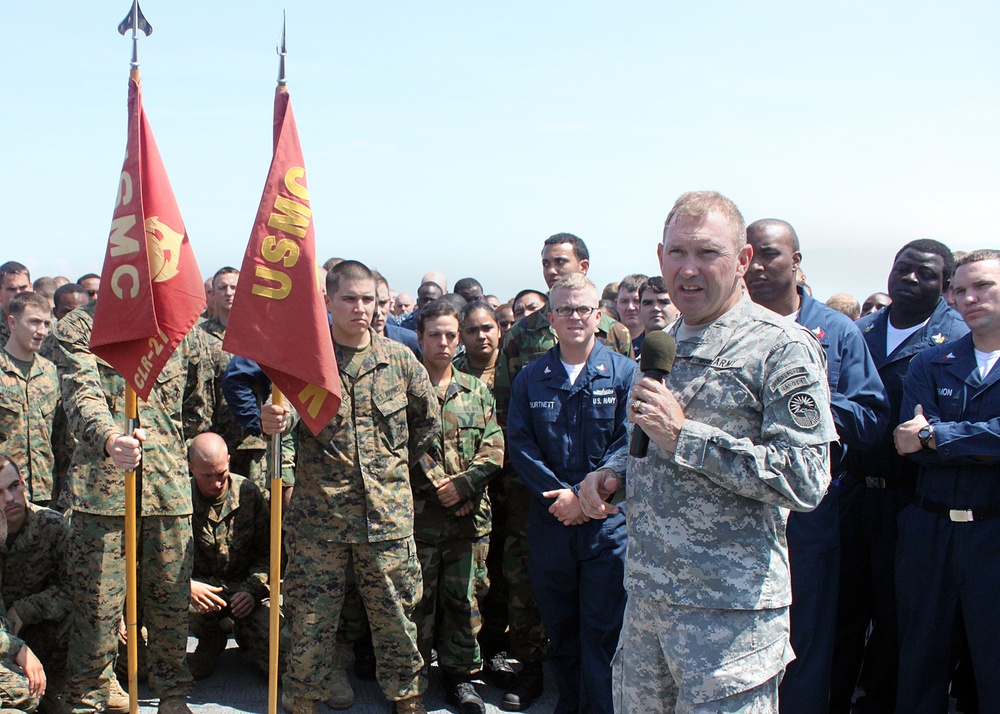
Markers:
point(408, 534)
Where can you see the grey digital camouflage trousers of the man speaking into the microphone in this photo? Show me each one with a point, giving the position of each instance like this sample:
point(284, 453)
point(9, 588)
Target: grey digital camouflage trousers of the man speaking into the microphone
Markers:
point(699, 661)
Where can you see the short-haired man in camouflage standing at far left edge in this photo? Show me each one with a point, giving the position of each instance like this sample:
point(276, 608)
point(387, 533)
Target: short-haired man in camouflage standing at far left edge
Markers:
point(29, 394)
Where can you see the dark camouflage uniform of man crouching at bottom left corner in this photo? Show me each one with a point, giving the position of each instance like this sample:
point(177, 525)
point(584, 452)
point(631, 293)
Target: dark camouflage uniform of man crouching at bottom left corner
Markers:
point(33, 571)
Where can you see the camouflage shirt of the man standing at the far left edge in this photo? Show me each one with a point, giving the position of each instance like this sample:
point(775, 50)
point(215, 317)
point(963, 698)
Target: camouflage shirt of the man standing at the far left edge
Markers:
point(27, 413)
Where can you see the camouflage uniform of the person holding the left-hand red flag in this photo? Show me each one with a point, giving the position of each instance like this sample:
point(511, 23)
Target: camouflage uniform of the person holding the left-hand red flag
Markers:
point(94, 399)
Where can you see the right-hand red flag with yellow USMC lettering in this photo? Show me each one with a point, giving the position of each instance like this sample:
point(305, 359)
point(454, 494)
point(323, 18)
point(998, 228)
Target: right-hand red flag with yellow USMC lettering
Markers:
point(279, 318)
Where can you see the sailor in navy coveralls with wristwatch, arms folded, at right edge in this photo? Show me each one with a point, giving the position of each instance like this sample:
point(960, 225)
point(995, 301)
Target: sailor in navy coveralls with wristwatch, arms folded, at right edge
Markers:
point(948, 562)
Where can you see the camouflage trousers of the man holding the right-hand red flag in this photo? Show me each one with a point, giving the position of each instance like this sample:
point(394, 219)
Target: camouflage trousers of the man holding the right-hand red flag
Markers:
point(388, 579)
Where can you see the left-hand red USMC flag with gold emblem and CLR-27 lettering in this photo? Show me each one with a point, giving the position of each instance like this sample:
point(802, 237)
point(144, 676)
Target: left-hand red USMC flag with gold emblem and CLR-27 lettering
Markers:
point(151, 291)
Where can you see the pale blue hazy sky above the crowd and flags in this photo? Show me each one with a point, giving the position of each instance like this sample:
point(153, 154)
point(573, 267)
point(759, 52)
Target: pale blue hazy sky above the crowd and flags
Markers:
point(458, 135)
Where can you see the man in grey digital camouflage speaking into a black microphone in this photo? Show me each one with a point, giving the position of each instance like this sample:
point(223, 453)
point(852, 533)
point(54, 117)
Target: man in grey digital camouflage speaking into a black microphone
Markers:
point(739, 432)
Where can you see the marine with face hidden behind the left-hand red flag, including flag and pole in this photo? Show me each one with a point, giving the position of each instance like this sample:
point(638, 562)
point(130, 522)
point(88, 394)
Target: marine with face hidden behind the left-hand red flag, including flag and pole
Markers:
point(128, 483)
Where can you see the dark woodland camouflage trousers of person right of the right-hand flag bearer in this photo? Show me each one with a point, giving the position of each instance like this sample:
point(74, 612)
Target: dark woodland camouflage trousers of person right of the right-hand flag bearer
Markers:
point(448, 615)
